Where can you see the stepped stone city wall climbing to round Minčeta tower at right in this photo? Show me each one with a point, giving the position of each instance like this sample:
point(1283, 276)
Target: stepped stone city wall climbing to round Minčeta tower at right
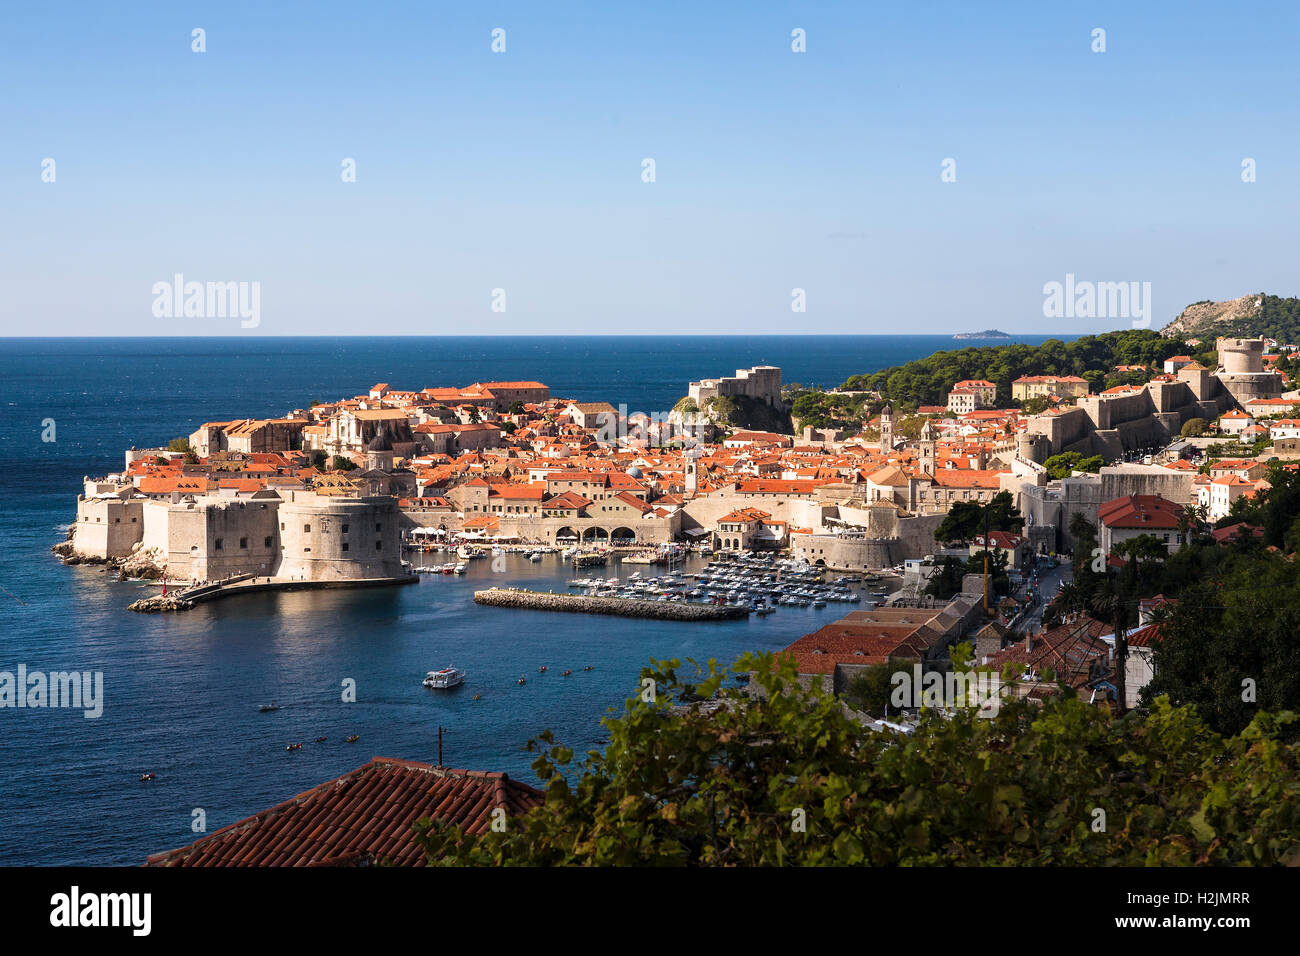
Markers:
point(1152, 416)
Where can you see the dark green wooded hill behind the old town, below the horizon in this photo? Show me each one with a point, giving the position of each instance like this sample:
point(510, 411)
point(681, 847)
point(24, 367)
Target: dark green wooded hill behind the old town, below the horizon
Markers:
point(928, 382)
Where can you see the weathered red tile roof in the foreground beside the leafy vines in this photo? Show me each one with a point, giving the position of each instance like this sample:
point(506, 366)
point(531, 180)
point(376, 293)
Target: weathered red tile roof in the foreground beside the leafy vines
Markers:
point(363, 816)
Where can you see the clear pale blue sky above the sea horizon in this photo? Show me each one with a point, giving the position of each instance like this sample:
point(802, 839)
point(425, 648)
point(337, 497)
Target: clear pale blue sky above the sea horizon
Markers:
point(505, 193)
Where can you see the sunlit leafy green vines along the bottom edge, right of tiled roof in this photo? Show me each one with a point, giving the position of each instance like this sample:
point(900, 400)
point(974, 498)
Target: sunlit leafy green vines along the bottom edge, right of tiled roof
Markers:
point(786, 778)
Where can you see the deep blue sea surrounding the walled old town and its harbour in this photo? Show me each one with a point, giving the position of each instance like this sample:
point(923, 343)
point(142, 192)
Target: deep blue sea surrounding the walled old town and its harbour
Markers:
point(181, 691)
